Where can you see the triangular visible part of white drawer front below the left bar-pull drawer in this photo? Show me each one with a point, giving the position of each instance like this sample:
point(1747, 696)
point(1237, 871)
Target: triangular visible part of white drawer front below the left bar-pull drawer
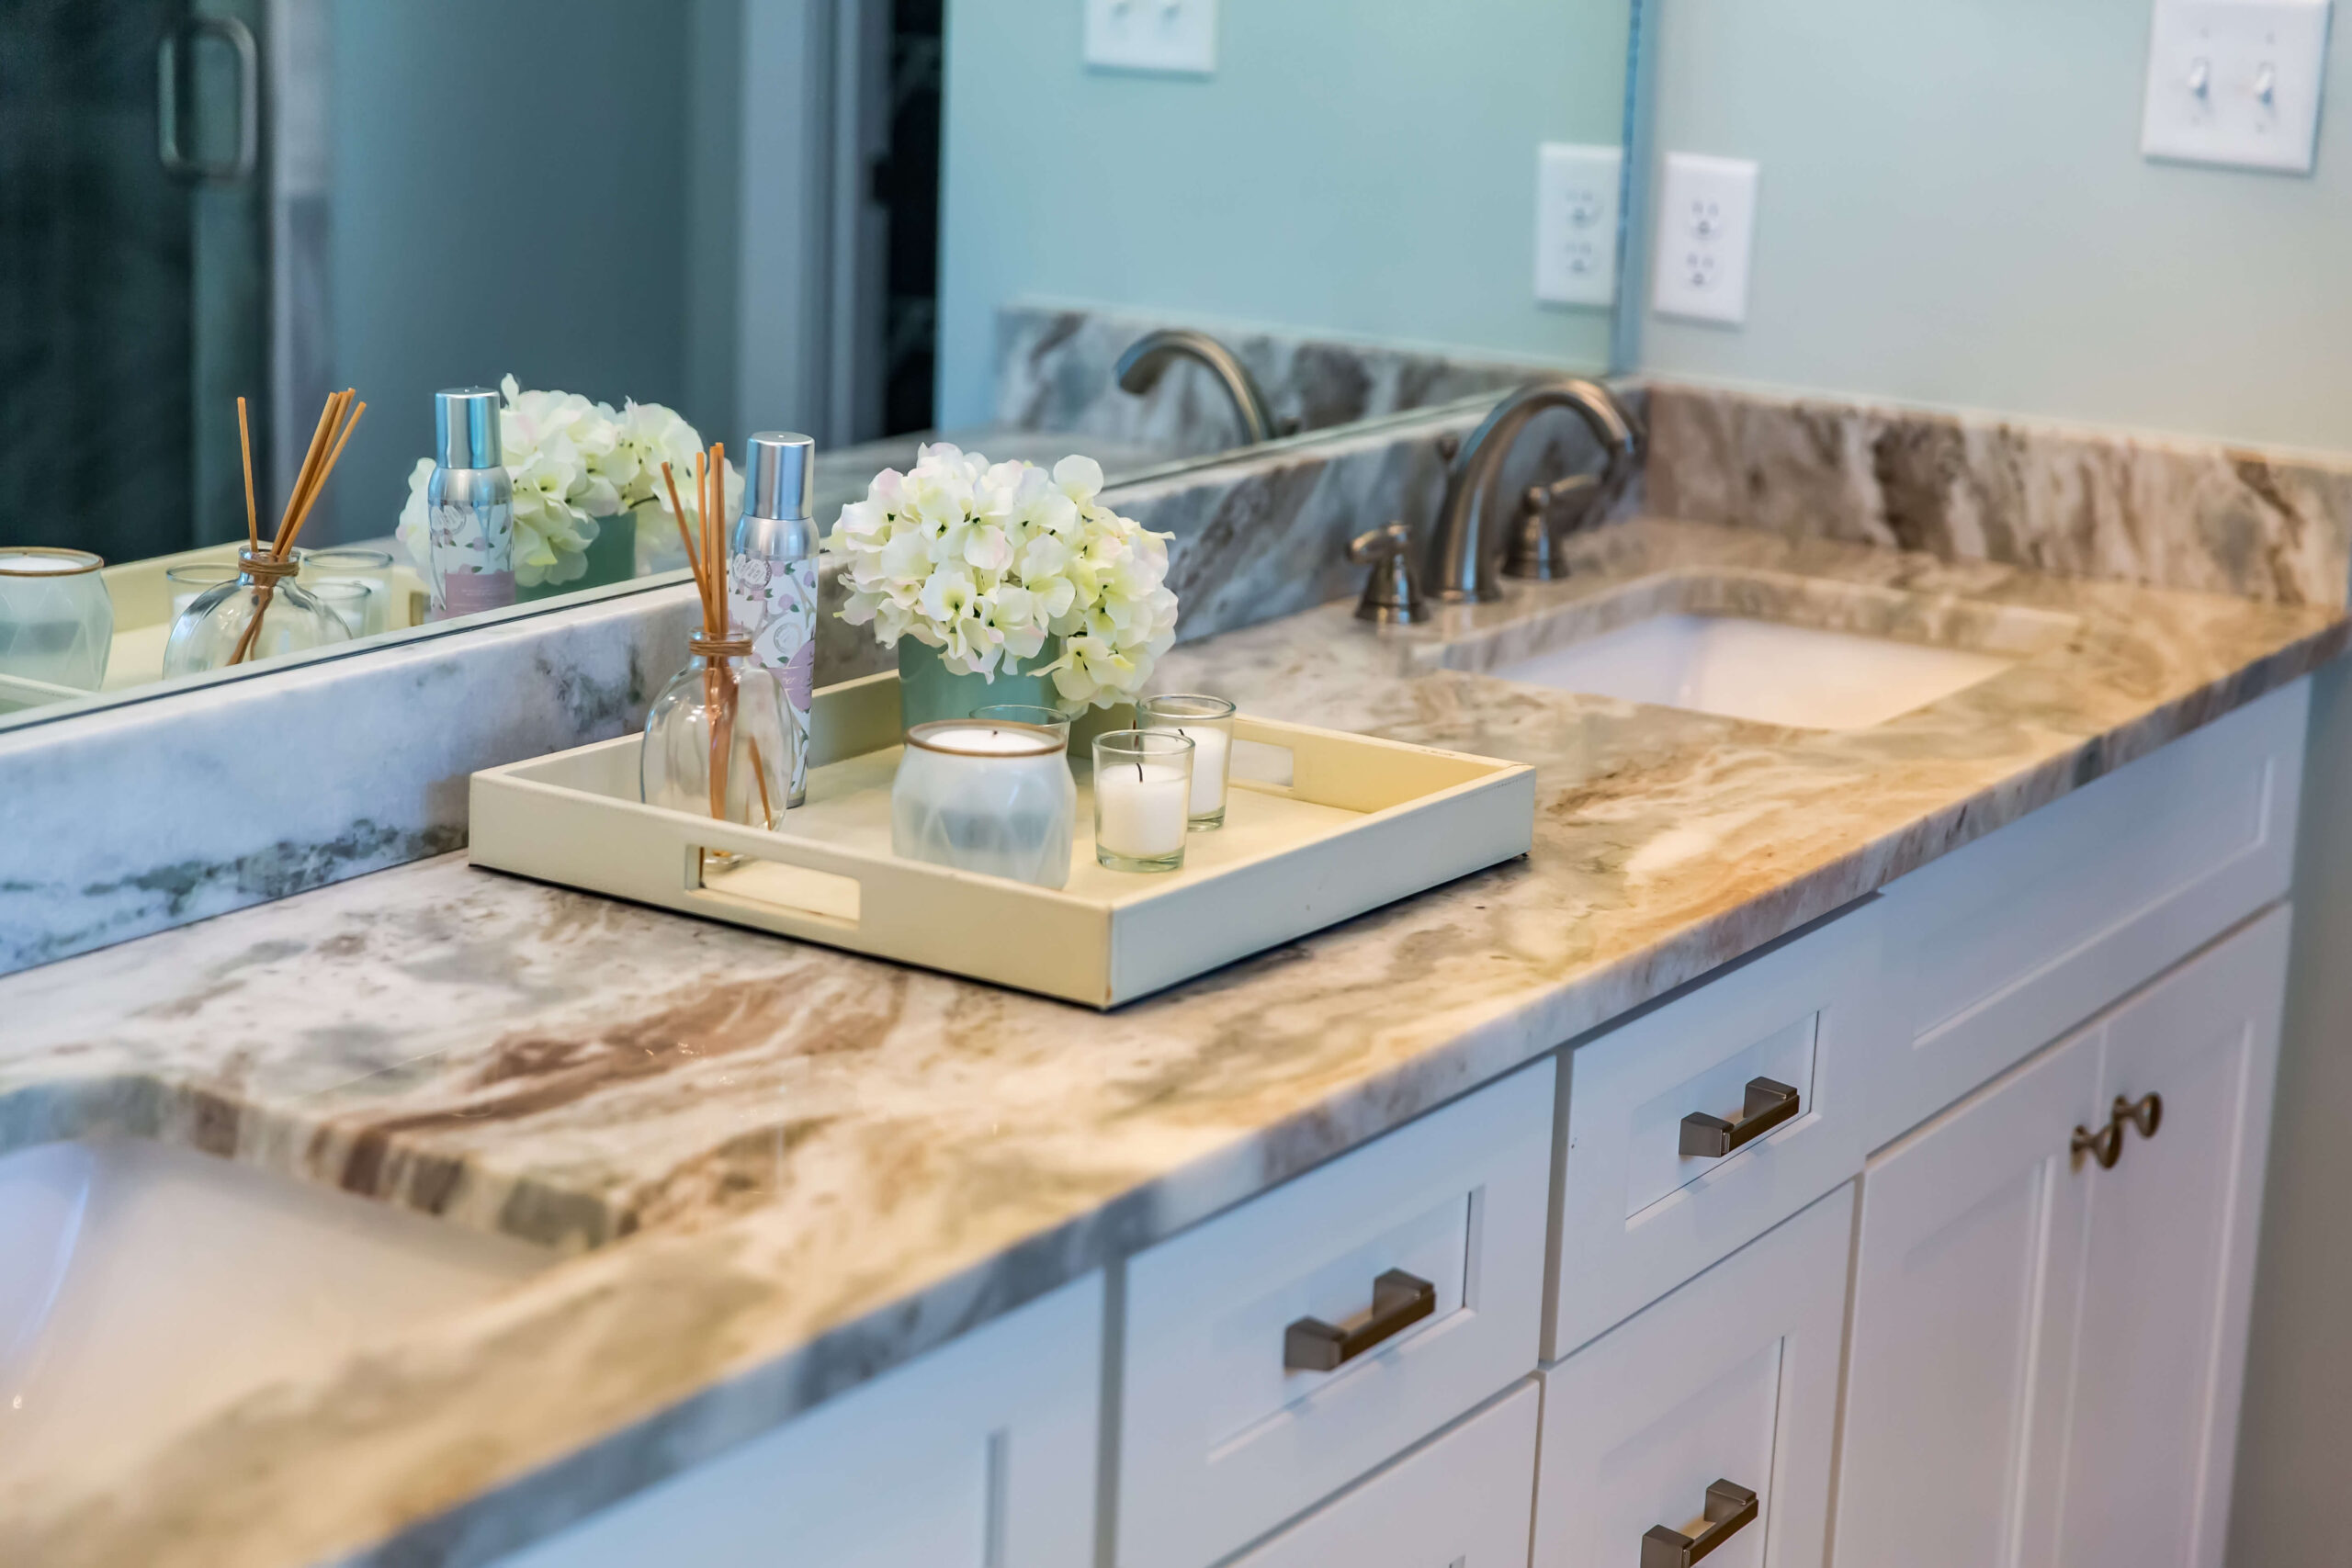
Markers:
point(1459, 1503)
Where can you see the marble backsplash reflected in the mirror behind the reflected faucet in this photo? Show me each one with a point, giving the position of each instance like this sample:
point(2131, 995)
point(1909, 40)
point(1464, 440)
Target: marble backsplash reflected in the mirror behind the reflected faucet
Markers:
point(1055, 375)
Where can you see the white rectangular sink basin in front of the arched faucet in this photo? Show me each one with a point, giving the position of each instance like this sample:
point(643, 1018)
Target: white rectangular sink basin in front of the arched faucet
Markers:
point(1765, 648)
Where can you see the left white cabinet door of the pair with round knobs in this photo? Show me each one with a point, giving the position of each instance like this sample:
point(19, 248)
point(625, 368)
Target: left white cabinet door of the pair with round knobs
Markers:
point(1970, 1247)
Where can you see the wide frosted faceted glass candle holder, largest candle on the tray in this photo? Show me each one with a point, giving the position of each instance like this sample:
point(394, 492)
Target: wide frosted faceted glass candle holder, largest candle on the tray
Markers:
point(987, 798)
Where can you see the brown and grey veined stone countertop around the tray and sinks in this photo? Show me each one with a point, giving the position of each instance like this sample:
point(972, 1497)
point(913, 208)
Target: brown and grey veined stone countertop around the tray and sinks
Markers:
point(794, 1167)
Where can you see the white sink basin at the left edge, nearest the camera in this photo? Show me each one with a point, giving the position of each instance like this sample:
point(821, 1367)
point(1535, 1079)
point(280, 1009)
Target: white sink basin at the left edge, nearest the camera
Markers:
point(142, 1285)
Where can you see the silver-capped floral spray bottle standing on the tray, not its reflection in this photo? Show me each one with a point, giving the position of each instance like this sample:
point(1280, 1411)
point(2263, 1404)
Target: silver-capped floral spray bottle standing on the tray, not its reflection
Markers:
point(773, 577)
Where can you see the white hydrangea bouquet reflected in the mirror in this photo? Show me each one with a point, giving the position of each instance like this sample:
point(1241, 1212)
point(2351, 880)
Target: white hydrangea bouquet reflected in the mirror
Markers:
point(573, 462)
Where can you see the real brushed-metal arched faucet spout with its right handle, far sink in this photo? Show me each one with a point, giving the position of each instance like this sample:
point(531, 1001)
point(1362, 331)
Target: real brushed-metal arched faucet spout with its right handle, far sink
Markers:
point(1466, 547)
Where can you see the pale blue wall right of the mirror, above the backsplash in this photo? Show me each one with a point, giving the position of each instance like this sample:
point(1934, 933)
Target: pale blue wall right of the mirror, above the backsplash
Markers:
point(1956, 210)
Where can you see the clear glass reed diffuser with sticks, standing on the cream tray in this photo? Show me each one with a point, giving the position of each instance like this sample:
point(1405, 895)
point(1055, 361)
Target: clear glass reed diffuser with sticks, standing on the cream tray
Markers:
point(719, 739)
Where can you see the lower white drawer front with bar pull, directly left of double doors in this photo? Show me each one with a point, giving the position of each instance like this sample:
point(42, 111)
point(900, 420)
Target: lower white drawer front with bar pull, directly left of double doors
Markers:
point(1728, 1381)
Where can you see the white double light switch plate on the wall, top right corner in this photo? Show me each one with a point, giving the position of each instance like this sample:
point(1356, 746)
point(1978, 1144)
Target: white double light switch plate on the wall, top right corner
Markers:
point(2236, 83)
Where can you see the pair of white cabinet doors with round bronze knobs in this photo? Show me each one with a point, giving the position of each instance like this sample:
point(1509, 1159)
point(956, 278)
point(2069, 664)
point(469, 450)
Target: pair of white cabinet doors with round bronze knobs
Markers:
point(2047, 1351)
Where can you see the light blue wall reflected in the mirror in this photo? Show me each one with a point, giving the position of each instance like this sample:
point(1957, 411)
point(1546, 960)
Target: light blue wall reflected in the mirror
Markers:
point(1354, 166)
